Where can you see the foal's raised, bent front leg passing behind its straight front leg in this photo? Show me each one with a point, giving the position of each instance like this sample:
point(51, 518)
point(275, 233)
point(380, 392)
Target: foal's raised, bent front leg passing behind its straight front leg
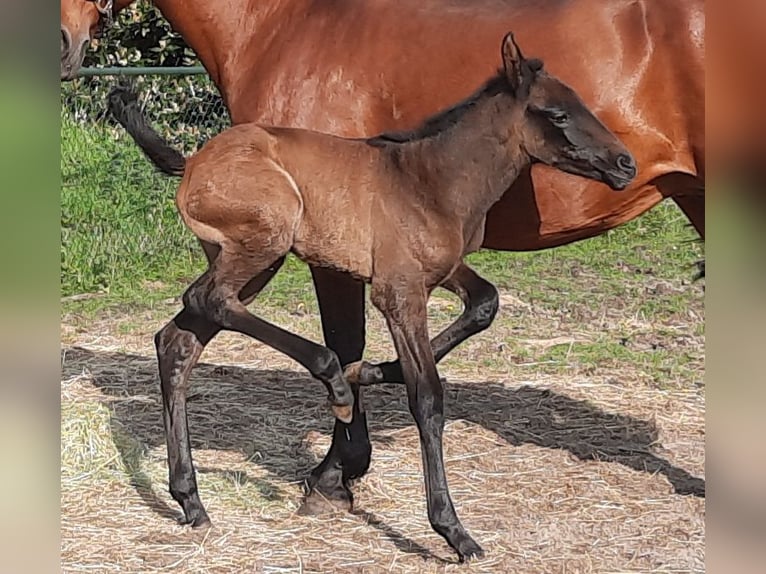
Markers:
point(480, 299)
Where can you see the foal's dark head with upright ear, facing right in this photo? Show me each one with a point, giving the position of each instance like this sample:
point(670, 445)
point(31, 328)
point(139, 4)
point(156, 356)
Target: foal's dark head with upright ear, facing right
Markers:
point(558, 129)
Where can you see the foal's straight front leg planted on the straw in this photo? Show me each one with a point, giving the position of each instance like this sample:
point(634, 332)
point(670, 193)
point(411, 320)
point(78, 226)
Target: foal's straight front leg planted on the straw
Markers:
point(404, 306)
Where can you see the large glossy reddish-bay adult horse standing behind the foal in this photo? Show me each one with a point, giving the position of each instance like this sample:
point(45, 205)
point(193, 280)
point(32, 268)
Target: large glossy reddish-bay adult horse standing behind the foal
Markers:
point(356, 68)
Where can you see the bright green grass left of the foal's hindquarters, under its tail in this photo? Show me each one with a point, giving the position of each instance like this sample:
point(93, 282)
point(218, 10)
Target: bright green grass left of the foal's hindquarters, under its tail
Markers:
point(120, 232)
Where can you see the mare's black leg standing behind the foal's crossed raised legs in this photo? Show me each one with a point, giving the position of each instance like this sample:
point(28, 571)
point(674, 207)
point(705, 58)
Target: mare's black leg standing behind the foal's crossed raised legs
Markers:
point(341, 304)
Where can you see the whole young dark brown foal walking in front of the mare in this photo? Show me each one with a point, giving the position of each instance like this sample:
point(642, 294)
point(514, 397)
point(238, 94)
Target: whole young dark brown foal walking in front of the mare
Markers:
point(399, 211)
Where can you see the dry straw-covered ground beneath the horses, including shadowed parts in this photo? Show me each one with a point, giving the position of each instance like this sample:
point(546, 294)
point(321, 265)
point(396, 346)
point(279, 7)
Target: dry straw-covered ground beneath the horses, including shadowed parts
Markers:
point(556, 463)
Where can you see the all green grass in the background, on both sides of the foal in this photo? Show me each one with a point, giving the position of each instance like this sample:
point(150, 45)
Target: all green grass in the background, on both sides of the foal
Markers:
point(123, 241)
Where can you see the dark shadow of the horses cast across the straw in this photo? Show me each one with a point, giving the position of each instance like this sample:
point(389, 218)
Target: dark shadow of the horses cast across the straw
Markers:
point(230, 407)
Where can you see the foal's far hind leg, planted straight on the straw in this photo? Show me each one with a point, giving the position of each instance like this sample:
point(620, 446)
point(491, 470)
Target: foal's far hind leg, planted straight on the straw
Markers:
point(179, 345)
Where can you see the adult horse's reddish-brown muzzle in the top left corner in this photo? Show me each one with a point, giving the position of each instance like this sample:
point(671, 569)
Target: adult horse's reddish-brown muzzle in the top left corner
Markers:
point(81, 21)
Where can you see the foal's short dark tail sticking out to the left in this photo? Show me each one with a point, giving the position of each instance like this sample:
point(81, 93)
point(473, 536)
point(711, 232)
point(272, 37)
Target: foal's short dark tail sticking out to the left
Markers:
point(123, 104)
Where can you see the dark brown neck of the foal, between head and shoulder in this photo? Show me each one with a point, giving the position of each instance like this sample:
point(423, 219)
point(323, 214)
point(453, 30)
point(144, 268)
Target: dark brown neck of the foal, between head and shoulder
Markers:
point(468, 166)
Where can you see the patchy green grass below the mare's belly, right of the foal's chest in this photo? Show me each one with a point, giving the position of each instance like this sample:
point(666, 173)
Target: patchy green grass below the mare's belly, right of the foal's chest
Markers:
point(658, 245)
